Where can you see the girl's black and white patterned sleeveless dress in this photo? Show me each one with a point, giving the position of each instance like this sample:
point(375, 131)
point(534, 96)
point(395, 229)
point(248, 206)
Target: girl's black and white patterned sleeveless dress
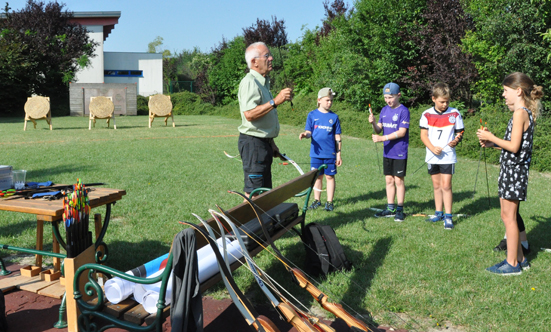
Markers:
point(513, 174)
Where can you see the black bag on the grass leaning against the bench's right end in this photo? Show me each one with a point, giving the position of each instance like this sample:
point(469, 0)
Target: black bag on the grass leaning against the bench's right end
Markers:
point(324, 252)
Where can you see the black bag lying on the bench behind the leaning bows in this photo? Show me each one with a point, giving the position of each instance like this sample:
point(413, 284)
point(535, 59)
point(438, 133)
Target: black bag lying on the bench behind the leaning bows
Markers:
point(274, 219)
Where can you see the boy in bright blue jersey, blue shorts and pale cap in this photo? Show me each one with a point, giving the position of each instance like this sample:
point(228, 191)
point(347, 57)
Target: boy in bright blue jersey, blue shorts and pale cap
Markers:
point(324, 128)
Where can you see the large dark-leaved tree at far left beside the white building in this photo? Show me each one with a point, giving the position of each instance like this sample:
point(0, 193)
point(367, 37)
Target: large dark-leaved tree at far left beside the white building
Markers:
point(41, 45)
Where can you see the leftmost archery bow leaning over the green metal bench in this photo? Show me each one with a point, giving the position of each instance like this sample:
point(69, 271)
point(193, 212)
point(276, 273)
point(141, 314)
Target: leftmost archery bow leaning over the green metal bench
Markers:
point(262, 324)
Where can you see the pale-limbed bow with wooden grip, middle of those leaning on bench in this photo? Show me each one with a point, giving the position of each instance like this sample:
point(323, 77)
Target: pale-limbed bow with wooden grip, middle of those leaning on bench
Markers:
point(300, 320)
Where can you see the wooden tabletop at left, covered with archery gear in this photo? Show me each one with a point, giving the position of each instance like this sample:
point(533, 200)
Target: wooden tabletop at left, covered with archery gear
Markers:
point(53, 210)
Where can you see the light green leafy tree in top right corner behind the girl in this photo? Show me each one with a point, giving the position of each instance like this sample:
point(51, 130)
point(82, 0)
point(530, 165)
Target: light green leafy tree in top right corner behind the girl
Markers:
point(507, 38)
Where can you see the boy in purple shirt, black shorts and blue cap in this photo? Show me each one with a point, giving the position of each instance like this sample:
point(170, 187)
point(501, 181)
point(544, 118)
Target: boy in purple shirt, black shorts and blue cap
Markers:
point(394, 123)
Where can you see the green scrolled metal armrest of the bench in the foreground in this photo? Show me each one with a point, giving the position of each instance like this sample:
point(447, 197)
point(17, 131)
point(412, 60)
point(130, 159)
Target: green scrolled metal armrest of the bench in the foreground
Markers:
point(92, 288)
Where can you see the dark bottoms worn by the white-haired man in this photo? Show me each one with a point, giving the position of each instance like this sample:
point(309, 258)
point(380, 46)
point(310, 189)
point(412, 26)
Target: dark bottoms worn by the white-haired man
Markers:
point(257, 156)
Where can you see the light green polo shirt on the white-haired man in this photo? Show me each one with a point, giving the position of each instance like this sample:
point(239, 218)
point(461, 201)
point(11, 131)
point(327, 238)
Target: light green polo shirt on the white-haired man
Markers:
point(254, 90)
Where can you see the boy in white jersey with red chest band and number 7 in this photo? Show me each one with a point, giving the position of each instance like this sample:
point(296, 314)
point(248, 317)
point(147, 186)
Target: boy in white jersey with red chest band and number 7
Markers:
point(441, 129)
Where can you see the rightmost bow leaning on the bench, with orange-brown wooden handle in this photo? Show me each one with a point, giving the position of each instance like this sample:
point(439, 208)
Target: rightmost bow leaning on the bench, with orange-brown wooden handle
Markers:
point(299, 278)
